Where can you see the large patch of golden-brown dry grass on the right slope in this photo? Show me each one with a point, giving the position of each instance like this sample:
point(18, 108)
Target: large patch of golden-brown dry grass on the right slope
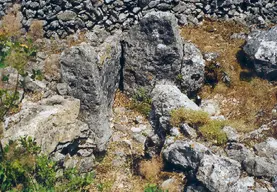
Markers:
point(243, 100)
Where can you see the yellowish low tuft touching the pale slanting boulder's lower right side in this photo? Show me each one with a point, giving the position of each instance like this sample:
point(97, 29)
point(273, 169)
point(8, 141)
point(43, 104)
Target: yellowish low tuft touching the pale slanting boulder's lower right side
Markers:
point(192, 117)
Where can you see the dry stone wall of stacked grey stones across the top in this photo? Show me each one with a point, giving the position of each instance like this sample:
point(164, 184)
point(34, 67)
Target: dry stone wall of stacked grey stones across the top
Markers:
point(63, 17)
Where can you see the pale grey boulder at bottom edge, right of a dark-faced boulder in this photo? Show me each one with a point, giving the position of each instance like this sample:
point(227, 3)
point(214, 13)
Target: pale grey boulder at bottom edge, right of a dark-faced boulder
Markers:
point(218, 173)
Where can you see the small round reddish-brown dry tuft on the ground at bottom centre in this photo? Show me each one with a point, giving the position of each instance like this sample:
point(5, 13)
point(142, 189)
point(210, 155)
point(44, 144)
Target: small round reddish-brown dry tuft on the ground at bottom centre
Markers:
point(150, 169)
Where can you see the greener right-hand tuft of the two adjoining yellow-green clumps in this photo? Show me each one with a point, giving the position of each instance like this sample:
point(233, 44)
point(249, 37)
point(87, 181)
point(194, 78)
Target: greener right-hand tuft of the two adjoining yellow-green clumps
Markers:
point(213, 131)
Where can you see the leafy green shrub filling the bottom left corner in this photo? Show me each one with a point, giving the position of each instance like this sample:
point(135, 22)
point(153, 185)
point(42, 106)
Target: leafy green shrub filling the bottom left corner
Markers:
point(23, 168)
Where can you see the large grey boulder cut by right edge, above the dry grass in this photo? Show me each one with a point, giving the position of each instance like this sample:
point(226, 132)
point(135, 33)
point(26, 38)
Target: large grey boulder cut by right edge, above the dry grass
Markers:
point(261, 49)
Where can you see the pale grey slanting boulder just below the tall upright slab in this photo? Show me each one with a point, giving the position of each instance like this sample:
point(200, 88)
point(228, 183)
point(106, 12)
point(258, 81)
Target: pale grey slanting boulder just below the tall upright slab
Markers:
point(165, 98)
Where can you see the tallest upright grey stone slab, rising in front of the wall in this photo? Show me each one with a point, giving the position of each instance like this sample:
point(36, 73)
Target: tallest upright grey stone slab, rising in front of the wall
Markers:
point(153, 50)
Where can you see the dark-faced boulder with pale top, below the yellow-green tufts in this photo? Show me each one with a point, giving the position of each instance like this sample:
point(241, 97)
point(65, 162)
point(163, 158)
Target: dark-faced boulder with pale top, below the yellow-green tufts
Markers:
point(185, 155)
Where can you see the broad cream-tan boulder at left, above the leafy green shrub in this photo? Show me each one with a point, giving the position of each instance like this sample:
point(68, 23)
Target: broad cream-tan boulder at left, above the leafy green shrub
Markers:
point(51, 121)
